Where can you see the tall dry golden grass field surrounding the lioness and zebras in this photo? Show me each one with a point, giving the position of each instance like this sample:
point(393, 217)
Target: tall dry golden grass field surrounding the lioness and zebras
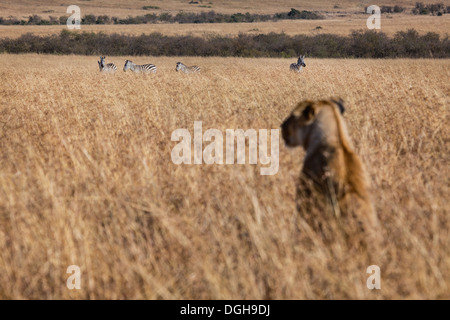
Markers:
point(86, 178)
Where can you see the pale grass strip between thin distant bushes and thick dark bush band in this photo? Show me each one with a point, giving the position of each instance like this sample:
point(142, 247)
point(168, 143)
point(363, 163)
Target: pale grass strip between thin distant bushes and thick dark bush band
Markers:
point(334, 25)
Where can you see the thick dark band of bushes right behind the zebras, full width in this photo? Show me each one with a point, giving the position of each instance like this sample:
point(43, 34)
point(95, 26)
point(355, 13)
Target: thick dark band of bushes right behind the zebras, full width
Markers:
point(359, 44)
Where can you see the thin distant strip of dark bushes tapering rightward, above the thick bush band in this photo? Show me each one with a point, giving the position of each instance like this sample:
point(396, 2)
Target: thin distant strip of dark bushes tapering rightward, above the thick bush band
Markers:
point(181, 17)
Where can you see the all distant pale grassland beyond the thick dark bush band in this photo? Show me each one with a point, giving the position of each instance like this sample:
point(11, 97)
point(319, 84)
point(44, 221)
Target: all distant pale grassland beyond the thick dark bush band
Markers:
point(340, 18)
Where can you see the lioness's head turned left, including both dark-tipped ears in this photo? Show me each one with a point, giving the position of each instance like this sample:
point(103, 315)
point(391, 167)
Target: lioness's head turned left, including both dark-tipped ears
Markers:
point(296, 127)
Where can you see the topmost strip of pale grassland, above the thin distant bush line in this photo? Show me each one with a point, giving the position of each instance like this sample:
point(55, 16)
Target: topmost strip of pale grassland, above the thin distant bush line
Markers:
point(121, 8)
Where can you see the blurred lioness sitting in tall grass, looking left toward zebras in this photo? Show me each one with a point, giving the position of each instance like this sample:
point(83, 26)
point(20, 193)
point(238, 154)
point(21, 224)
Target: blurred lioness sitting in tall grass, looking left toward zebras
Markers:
point(332, 190)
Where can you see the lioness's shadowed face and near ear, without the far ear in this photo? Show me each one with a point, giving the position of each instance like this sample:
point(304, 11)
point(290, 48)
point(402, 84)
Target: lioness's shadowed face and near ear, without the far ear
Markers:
point(295, 127)
